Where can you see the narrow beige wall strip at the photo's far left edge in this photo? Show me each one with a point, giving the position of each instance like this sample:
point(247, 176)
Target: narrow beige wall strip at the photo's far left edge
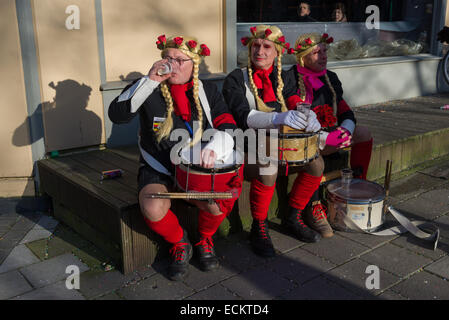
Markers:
point(15, 155)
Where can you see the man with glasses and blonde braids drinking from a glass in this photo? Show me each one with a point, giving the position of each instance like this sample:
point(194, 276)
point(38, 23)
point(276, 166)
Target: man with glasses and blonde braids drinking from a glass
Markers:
point(172, 97)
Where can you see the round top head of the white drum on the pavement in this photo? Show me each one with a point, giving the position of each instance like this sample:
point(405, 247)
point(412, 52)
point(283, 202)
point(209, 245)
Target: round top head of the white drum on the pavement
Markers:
point(357, 191)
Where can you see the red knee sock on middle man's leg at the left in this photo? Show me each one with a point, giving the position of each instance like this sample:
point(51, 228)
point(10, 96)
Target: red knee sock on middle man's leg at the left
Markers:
point(260, 198)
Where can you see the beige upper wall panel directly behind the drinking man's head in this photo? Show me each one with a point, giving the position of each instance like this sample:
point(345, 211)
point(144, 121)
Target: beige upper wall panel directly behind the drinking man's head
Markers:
point(131, 29)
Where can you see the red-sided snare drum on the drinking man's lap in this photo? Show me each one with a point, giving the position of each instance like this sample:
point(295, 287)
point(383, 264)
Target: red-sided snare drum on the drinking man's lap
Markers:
point(226, 176)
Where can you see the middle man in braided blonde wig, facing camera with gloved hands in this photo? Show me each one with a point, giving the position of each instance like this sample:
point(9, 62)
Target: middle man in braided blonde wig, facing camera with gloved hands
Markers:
point(259, 96)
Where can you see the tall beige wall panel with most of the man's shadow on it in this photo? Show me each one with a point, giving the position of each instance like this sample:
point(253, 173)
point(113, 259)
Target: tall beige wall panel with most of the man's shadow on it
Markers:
point(70, 75)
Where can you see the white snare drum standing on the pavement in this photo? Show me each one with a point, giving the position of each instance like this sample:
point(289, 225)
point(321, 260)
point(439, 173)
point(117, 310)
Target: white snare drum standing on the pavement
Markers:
point(358, 200)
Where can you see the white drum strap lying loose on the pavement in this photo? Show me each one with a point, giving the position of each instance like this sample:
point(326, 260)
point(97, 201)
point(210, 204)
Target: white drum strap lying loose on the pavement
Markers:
point(405, 225)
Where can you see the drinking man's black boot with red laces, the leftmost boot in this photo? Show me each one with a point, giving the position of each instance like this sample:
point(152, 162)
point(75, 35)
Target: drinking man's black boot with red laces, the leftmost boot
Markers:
point(180, 254)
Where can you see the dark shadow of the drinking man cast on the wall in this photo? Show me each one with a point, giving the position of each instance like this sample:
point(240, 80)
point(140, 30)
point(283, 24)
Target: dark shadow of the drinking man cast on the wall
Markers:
point(66, 121)
